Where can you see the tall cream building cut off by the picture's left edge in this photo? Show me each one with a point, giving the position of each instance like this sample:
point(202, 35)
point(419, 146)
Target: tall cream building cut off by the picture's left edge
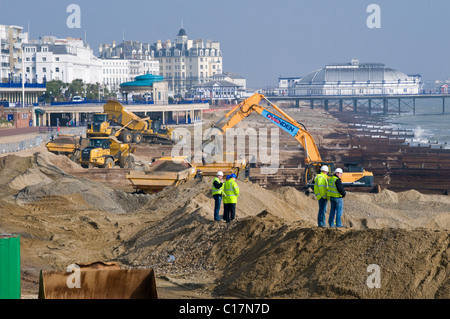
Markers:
point(11, 40)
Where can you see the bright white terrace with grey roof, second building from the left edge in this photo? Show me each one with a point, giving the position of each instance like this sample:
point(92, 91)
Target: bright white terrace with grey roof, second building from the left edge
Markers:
point(61, 59)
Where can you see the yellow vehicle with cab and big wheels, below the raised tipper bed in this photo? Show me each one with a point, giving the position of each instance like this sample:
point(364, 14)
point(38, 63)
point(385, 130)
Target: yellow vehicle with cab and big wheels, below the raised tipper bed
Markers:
point(106, 152)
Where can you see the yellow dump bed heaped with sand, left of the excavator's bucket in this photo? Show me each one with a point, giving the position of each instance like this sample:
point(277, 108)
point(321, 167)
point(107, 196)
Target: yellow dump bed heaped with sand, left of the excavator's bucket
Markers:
point(163, 172)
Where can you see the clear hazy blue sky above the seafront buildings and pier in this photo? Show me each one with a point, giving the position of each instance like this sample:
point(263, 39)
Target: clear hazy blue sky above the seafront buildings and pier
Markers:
point(262, 40)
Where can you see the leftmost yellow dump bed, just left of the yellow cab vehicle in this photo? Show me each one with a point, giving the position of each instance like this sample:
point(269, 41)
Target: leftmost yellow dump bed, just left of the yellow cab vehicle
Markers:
point(69, 145)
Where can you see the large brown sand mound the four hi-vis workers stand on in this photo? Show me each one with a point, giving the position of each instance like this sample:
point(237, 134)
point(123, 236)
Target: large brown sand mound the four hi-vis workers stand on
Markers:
point(274, 249)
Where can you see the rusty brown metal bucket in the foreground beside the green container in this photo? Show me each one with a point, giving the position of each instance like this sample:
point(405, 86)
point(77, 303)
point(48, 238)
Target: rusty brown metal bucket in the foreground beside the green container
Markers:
point(99, 280)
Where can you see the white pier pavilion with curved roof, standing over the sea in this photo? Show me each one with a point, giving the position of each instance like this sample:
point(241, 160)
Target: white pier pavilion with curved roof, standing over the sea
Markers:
point(357, 79)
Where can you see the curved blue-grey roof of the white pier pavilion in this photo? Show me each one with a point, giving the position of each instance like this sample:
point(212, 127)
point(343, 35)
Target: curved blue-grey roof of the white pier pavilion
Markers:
point(354, 72)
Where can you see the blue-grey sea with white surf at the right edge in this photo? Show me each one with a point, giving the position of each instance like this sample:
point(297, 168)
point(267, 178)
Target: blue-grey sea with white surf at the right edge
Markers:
point(429, 124)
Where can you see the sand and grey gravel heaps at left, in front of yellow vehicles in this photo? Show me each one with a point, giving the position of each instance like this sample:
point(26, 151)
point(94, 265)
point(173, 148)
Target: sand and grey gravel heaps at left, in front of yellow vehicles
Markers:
point(34, 178)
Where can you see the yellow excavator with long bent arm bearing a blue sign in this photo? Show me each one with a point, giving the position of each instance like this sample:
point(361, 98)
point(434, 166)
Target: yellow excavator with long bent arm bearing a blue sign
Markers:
point(313, 161)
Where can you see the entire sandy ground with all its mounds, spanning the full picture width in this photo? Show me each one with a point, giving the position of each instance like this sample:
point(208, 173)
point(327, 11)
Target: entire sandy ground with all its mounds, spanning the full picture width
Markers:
point(273, 249)
